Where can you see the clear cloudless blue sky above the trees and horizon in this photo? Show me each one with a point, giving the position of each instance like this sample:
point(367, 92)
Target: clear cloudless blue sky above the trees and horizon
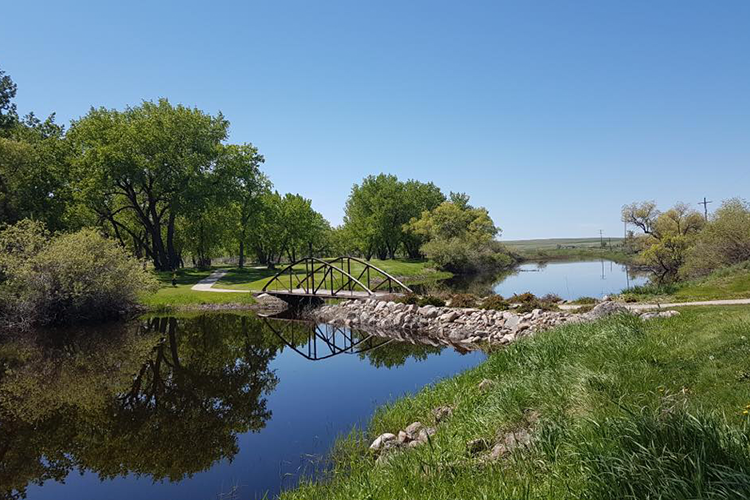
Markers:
point(552, 114)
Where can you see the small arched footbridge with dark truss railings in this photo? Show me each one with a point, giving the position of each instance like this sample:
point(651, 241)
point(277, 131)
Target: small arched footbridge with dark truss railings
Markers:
point(340, 278)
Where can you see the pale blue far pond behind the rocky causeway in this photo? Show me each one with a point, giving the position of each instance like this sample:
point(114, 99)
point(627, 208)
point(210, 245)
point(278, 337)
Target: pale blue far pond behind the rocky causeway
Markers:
point(569, 280)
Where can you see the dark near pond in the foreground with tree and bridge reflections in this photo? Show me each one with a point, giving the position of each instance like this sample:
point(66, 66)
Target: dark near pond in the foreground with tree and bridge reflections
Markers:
point(205, 407)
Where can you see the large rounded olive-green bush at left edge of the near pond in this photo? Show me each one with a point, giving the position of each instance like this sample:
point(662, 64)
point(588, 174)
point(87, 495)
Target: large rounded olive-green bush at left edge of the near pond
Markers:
point(81, 276)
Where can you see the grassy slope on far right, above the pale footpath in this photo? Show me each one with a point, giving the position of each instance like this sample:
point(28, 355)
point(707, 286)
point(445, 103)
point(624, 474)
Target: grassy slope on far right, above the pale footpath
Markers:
point(728, 283)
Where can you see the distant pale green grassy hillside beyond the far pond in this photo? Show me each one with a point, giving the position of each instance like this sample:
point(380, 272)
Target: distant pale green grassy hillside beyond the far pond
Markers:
point(570, 249)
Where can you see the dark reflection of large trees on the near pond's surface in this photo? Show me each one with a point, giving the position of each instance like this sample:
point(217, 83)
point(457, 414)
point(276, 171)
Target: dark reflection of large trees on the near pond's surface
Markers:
point(116, 408)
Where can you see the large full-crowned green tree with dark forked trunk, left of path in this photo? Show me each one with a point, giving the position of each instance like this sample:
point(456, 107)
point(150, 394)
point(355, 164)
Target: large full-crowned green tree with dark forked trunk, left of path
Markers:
point(144, 164)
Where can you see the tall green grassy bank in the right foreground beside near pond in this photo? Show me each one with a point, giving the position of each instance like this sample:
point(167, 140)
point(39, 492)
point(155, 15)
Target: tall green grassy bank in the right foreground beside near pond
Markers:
point(616, 409)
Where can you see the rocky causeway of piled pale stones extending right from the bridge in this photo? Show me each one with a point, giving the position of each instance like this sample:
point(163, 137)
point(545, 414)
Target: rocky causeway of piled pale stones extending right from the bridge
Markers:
point(467, 327)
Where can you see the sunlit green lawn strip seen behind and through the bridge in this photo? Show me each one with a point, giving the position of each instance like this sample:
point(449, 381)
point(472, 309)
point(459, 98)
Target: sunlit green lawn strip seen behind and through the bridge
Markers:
point(409, 271)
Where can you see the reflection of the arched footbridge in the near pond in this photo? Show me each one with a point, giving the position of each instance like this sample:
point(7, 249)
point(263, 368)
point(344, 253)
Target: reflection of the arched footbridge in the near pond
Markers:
point(316, 341)
